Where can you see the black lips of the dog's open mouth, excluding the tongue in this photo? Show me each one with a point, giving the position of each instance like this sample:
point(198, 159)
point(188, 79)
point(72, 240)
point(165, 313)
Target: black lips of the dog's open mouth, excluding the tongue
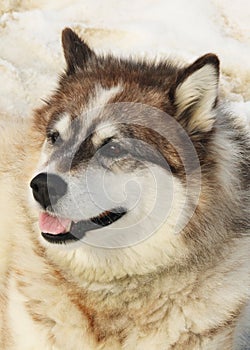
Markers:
point(78, 229)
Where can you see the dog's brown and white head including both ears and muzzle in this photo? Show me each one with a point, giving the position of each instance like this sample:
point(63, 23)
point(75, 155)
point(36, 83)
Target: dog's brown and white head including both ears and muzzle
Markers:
point(123, 144)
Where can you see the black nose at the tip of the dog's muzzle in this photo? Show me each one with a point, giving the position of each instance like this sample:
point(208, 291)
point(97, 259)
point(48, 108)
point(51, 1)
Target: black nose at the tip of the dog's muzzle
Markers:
point(48, 188)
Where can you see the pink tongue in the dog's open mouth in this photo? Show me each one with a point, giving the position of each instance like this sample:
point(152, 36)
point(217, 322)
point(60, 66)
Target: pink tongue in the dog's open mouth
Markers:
point(53, 225)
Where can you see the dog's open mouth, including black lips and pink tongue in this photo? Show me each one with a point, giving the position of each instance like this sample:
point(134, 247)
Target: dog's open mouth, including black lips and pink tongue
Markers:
point(59, 230)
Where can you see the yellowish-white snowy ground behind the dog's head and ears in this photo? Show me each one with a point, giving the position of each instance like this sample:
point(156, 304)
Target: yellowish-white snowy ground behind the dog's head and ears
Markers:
point(31, 55)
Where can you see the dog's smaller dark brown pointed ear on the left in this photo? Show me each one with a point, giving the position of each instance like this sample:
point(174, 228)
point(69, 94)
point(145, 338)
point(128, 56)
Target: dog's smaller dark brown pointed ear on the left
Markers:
point(76, 52)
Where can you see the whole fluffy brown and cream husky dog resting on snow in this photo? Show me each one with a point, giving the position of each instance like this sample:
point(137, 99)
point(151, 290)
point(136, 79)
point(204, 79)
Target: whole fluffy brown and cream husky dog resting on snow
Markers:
point(125, 211)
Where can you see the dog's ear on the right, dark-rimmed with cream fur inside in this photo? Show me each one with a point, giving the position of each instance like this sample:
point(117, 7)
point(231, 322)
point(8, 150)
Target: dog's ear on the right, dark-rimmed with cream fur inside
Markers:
point(195, 93)
